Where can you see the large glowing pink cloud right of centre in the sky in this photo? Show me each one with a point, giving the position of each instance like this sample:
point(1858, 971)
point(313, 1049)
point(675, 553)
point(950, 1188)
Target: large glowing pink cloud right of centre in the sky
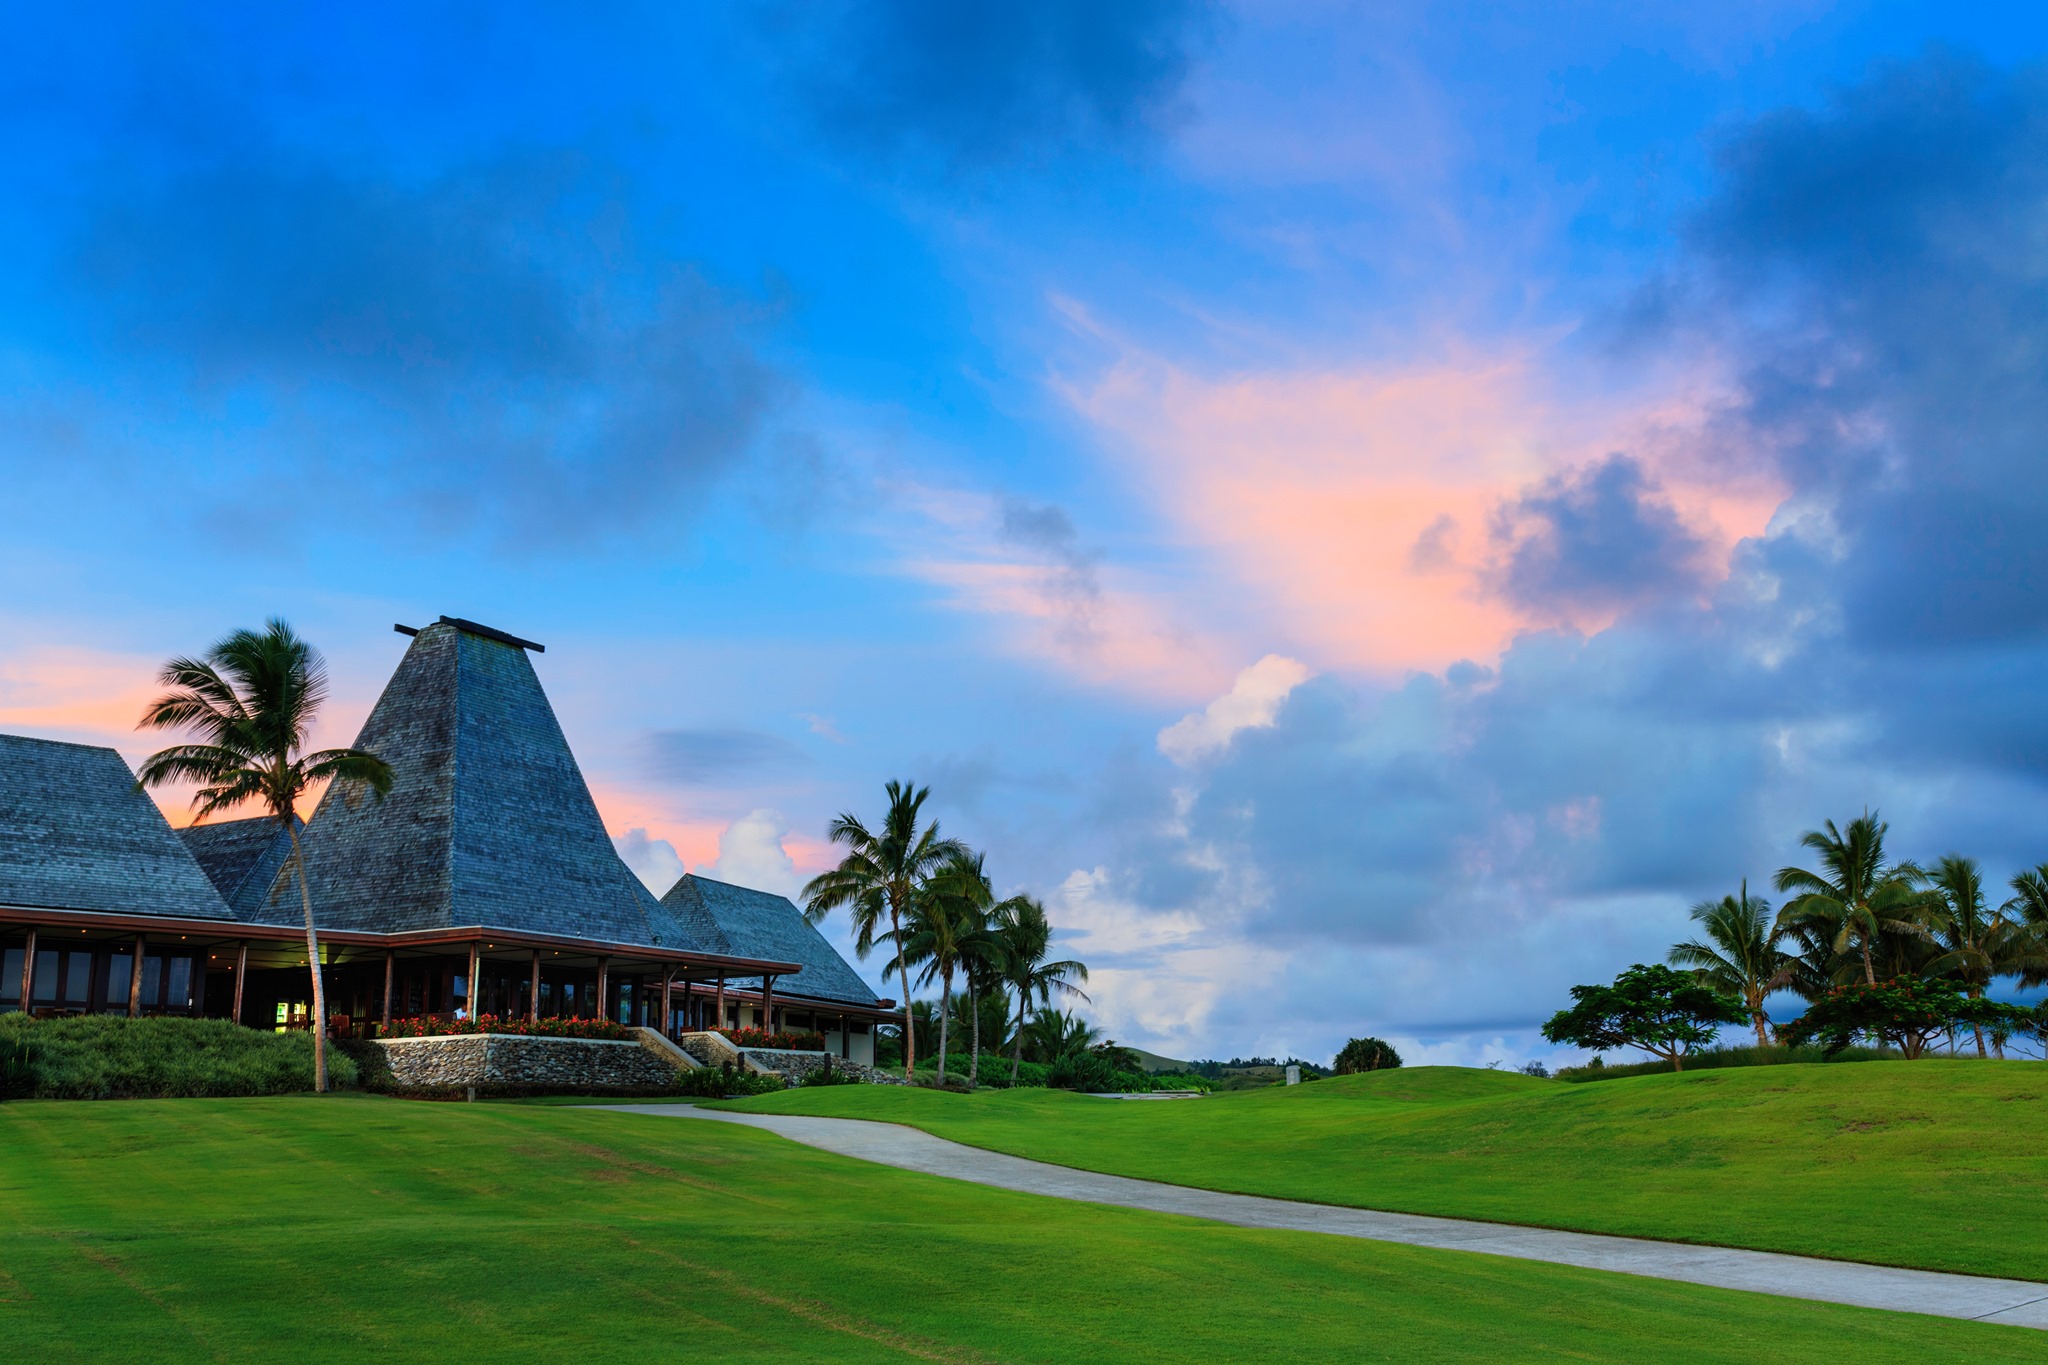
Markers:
point(1357, 502)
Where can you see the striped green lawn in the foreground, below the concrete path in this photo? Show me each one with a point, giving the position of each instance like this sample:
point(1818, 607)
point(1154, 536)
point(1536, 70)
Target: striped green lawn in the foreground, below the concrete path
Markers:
point(355, 1229)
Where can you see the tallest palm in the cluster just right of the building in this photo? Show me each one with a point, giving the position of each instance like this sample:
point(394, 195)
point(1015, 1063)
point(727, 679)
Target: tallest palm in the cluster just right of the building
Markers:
point(880, 877)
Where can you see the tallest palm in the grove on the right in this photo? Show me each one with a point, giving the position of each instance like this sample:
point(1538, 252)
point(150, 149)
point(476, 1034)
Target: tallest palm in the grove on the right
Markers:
point(1857, 897)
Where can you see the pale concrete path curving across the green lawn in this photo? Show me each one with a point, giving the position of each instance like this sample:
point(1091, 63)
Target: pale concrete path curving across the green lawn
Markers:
point(2016, 1303)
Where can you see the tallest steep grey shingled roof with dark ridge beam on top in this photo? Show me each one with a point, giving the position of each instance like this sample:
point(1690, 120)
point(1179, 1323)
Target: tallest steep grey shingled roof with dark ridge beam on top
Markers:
point(488, 822)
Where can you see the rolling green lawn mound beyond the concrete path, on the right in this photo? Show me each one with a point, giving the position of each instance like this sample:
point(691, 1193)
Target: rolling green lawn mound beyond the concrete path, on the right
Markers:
point(1940, 1165)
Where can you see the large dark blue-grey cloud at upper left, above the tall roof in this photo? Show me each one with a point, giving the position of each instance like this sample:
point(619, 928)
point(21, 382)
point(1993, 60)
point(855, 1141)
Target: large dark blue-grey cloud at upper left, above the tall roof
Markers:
point(488, 347)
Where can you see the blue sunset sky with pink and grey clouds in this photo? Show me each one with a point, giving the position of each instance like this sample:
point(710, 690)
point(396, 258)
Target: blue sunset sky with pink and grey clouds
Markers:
point(1367, 511)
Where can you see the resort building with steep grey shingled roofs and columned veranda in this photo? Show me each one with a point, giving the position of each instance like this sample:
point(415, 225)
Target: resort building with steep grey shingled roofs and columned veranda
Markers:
point(480, 885)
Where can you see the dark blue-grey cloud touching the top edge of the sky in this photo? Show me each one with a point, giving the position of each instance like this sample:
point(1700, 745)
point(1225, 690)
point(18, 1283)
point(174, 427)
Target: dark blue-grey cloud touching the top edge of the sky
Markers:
point(984, 85)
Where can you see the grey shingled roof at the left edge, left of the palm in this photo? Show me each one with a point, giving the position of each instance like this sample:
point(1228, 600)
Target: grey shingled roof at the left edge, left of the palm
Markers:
point(79, 836)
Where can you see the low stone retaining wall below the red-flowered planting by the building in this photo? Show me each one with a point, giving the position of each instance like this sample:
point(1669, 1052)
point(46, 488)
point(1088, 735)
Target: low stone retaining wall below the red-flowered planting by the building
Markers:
point(493, 1061)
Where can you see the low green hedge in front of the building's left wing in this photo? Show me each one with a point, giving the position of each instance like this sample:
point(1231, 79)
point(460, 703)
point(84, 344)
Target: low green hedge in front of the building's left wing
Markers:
point(103, 1057)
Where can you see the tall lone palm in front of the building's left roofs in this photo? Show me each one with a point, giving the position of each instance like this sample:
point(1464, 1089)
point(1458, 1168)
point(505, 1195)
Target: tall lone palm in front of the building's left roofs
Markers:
point(253, 699)
